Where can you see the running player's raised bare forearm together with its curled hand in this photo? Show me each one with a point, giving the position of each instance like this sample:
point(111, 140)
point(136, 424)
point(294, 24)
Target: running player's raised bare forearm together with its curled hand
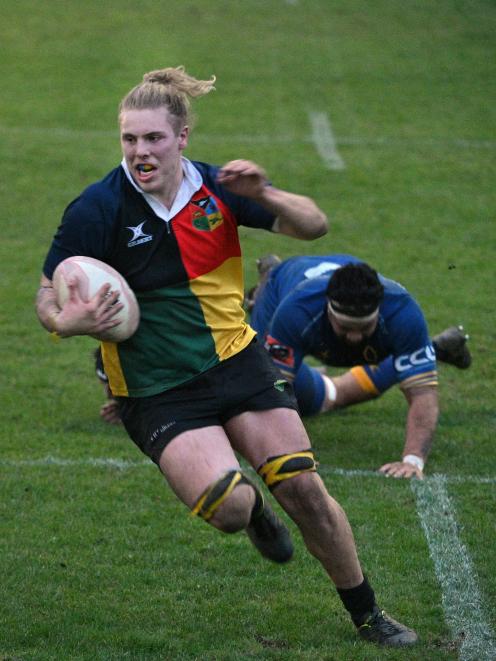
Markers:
point(296, 215)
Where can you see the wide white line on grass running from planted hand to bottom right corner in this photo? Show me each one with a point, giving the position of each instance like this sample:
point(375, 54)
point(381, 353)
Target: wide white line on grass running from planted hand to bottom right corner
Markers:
point(462, 601)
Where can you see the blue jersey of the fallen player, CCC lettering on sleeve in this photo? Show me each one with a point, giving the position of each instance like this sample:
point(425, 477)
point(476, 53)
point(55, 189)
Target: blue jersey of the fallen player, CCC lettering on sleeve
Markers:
point(290, 313)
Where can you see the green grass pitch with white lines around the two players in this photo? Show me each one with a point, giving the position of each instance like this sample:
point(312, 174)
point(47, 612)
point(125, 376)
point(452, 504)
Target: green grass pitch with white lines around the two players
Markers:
point(97, 558)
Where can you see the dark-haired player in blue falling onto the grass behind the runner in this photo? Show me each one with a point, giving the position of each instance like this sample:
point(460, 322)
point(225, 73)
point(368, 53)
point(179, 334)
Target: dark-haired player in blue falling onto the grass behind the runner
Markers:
point(340, 311)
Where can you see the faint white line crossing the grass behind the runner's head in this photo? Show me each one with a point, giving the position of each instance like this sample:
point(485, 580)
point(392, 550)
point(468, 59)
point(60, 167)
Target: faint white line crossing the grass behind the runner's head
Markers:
point(269, 139)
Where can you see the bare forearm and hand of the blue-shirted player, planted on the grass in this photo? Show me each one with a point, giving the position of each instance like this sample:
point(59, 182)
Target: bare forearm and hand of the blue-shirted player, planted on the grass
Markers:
point(421, 423)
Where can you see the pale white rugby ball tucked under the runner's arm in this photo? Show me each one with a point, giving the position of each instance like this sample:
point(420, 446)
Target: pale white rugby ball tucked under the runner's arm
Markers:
point(90, 275)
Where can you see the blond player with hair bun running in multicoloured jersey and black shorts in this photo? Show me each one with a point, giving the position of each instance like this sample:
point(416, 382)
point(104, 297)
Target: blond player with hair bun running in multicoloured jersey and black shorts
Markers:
point(194, 387)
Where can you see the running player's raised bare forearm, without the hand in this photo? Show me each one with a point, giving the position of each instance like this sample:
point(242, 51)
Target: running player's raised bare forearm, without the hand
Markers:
point(297, 216)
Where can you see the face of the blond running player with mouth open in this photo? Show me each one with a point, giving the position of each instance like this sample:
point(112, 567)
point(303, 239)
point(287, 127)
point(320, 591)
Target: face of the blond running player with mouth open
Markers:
point(152, 149)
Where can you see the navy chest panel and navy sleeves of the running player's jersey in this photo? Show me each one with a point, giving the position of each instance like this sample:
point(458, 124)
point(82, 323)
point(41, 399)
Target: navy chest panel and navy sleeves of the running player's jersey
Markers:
point(99, 223)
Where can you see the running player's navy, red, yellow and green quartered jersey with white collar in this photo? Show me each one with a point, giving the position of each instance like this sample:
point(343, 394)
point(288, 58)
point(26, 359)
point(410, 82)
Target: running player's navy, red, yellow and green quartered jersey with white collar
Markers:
point(186, 272)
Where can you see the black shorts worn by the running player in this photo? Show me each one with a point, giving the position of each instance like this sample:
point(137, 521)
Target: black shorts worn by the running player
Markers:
point(248, 381)
